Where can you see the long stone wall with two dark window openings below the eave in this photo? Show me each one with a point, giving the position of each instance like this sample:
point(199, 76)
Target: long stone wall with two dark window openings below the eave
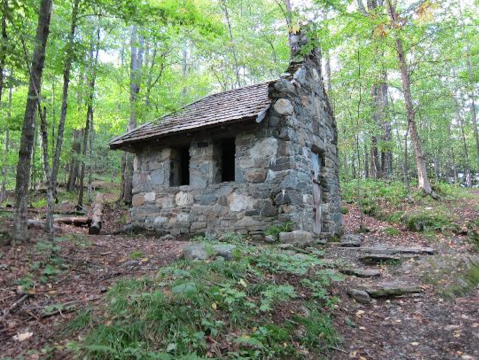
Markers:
point(246, 205)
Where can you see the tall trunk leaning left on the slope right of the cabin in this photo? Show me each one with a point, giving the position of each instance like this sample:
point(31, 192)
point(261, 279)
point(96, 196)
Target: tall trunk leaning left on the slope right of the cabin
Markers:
point(423, 178)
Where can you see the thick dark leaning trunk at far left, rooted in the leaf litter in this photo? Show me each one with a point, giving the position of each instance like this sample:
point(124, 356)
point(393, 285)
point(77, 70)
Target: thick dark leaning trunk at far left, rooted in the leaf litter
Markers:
point(28, 128)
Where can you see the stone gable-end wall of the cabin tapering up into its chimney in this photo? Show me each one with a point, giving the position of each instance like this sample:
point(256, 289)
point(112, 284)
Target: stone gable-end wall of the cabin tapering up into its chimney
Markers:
point(302, 121)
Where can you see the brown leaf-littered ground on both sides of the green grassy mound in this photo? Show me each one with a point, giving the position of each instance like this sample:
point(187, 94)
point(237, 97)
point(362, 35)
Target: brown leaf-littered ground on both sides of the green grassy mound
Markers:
point(44, 286)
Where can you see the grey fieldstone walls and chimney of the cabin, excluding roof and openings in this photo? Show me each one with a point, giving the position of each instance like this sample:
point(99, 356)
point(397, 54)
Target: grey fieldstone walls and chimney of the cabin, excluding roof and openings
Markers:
point(273, 166)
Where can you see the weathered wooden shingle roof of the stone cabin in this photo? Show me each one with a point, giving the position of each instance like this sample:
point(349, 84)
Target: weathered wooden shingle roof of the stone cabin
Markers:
point(217, 109)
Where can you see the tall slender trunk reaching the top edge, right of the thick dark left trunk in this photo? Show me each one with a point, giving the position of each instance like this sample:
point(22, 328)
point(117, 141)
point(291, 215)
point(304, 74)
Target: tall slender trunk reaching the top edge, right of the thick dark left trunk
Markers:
point(66, 81)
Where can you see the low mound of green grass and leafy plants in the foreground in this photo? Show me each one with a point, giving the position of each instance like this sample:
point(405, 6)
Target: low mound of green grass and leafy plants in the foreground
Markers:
point(266, 305)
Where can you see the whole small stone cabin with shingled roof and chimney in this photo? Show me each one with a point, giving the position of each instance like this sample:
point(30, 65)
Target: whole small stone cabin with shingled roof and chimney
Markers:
point(242, 160)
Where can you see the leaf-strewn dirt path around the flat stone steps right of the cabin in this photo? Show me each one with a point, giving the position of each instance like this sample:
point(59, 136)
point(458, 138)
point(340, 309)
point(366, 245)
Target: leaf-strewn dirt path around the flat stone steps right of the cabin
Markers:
point(422, 326)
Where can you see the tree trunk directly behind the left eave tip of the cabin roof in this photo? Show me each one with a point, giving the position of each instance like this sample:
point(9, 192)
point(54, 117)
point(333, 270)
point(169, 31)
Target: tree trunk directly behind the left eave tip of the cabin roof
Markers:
point(136, 64)
